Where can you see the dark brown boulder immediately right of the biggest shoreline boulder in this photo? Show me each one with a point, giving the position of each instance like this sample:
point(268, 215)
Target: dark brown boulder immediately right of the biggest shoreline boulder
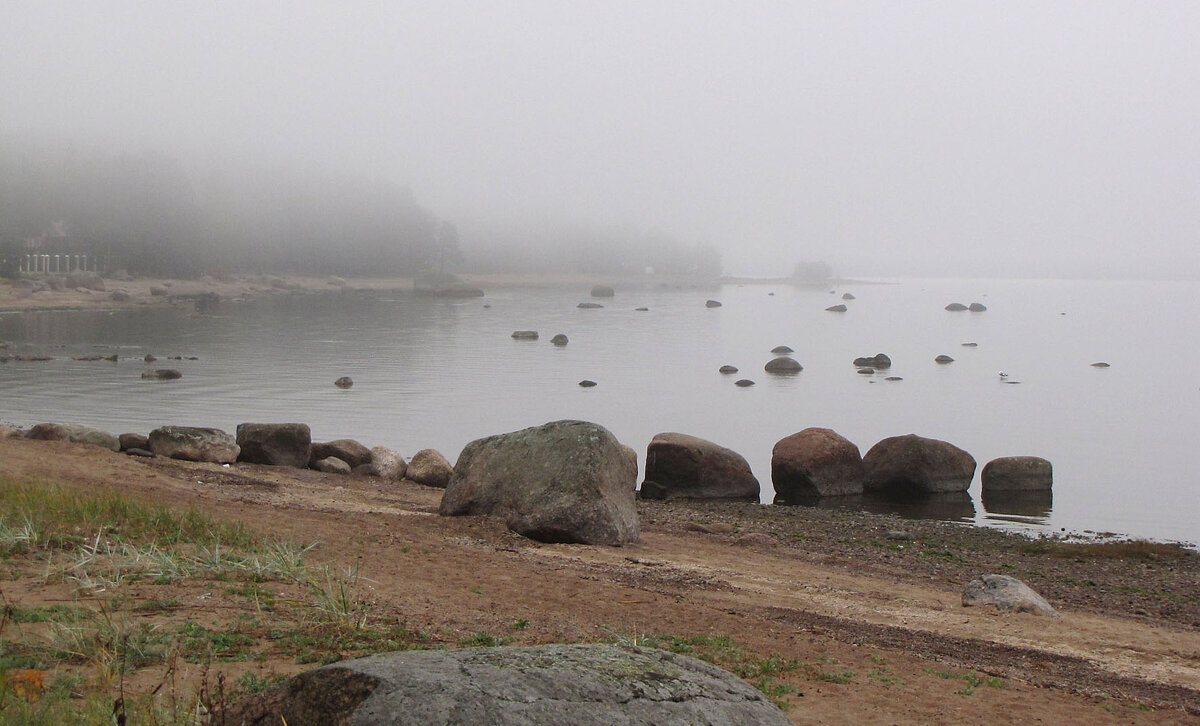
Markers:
point(686, 467)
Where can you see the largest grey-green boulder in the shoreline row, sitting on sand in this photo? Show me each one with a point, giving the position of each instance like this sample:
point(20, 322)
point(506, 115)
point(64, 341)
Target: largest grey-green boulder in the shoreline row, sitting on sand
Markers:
point(566, 482)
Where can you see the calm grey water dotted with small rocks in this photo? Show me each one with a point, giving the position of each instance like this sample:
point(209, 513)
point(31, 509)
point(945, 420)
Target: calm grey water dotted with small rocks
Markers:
point(436, 374)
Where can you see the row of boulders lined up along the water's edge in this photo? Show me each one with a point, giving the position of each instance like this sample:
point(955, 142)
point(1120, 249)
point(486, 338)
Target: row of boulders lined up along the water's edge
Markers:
point(573, 482)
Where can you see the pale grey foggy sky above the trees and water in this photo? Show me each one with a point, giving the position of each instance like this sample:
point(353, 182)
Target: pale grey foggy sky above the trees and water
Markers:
point(958, 137)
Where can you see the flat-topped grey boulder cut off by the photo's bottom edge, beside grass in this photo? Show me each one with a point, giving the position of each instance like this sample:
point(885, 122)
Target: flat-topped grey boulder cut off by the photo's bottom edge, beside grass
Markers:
point(542, 686)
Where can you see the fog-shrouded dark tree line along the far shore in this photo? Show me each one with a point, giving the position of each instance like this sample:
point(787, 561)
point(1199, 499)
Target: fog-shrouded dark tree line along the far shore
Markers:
point(149, 214)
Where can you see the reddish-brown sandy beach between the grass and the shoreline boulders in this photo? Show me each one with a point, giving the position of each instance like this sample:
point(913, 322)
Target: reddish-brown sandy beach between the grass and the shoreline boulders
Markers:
point(884, 640)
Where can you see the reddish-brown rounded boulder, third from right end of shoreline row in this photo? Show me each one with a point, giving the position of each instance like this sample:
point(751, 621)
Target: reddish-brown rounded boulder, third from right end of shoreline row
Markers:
point(815, 463)
